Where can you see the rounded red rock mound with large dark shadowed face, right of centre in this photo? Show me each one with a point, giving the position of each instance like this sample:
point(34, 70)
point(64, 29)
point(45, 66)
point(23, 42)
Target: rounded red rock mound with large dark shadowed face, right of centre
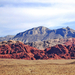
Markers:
point(57, 52)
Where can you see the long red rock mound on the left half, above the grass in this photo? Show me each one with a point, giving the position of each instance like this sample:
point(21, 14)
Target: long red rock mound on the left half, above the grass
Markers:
point(20, 51)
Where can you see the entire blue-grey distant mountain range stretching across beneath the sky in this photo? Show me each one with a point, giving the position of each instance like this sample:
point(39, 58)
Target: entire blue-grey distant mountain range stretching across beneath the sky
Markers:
point(40, 34)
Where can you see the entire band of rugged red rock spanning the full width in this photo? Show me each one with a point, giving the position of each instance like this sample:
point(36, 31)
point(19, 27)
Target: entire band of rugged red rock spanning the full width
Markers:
point(22, 51)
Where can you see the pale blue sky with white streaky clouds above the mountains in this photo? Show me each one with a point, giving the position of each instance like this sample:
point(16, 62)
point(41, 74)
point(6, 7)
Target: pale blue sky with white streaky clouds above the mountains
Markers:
point(20, 15)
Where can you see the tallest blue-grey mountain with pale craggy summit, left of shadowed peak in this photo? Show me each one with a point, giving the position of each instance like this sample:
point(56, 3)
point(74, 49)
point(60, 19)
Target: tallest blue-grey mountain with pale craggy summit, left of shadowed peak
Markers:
point(34, 34)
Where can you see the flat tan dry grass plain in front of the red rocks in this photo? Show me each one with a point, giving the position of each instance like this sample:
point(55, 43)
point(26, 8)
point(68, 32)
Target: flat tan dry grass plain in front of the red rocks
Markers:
point(36, 67)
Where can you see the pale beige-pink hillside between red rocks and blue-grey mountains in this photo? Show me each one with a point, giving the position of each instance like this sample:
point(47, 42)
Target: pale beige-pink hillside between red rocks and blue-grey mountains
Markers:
point(52, 42)
